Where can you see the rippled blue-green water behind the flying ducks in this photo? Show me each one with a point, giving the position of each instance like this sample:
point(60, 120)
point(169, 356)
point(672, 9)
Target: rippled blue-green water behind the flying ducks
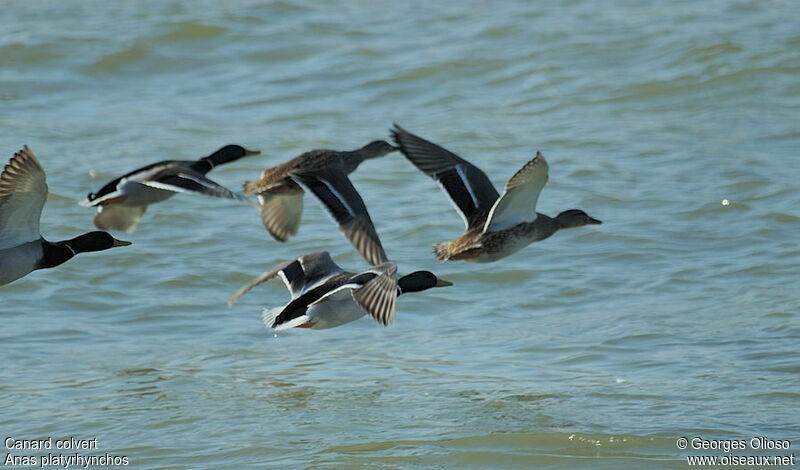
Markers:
point(596, 348)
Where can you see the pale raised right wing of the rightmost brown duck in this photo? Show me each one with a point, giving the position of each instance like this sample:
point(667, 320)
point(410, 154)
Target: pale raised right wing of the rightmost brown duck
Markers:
point(518, 202)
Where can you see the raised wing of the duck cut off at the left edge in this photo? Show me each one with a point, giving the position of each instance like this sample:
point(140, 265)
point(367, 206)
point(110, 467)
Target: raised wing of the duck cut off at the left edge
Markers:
point(23, 191)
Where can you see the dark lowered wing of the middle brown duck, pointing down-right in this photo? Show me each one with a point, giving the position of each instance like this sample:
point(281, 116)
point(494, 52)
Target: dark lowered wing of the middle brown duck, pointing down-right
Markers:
point(335, 191)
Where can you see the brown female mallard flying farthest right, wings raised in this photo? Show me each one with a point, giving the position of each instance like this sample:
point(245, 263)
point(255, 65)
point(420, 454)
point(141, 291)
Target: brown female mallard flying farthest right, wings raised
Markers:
point(496, 225)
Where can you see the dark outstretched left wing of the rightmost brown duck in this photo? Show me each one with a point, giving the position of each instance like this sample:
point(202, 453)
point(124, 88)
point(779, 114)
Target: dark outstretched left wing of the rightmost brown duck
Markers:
point(467, 186)
